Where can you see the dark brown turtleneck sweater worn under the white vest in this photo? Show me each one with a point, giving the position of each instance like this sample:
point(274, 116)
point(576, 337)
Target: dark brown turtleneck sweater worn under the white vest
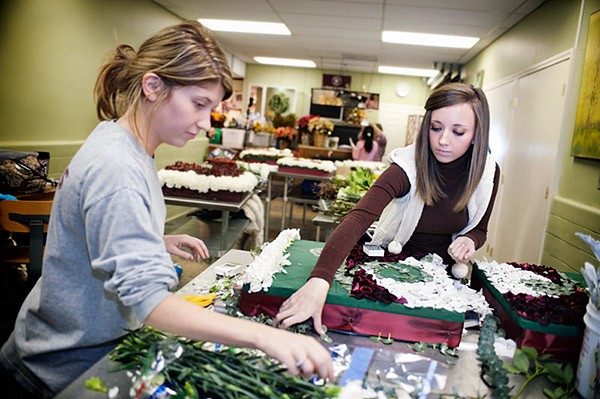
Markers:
point(434, 231)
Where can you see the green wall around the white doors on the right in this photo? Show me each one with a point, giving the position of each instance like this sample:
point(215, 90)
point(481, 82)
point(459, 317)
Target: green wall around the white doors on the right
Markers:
point(548, 31)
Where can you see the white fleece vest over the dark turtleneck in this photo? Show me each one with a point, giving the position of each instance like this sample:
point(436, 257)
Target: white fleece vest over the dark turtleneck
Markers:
point(400, 218)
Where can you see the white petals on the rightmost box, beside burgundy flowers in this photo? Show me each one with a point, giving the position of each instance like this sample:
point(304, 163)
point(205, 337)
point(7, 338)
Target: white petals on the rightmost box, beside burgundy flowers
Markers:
point(505, 277)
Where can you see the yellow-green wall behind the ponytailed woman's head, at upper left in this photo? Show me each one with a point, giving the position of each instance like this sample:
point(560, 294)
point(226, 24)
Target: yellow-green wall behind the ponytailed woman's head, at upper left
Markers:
point(52, 52)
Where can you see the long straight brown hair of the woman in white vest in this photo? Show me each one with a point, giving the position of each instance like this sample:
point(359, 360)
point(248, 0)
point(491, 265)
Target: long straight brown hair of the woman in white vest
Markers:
point(429, 184)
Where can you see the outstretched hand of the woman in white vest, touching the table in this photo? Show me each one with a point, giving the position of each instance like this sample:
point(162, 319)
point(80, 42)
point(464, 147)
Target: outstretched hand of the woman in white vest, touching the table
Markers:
point(305, 303)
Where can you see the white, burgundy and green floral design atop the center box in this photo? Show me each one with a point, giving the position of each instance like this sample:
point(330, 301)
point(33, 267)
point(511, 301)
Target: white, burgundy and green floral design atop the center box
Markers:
point(404, 279)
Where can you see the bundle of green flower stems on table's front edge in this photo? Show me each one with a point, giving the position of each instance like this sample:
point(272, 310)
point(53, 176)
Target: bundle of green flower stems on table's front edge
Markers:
point(230, 373)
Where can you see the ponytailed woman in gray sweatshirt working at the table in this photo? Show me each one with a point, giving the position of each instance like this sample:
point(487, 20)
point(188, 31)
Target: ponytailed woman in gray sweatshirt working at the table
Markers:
point(107, 266)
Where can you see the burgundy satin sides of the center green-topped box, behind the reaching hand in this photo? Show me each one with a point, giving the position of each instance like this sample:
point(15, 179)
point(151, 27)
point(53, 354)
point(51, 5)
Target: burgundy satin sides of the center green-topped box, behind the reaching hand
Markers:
point(363, 321)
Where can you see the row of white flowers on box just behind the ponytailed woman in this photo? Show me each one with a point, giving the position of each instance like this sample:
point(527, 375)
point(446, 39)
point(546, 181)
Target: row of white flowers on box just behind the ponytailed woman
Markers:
point(202, 183)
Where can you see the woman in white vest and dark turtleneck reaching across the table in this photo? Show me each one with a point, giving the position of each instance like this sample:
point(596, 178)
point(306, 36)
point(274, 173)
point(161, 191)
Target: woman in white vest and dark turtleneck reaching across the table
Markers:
point(436, 197)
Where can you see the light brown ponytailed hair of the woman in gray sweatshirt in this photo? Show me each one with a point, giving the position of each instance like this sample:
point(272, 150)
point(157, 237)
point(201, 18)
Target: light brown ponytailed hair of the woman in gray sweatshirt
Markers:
point(181, 55)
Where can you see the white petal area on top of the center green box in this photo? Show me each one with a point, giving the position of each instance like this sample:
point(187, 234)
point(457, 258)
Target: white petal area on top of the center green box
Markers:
point(440, 293)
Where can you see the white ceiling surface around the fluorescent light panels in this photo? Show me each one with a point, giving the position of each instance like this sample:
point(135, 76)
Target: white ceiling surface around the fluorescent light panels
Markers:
point(345, 35)
